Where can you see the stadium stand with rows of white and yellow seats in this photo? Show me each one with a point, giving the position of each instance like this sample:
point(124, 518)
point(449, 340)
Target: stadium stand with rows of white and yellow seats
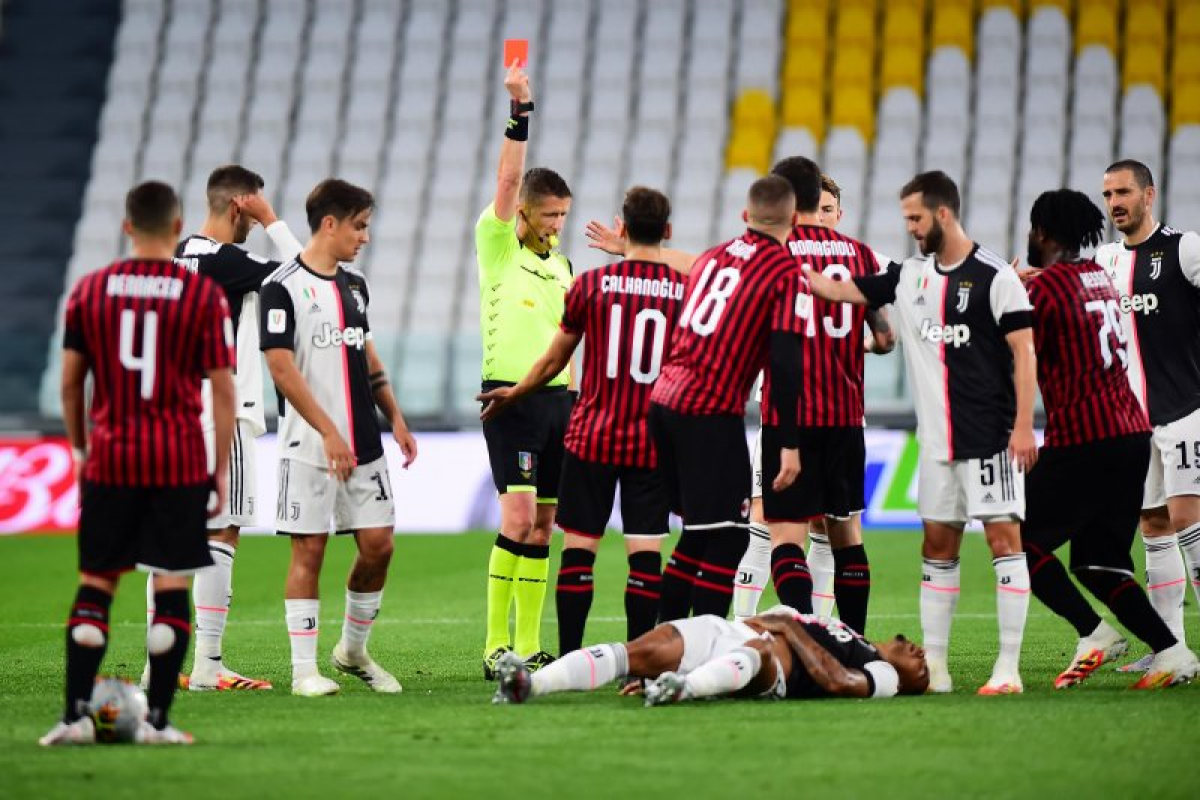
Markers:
point(1011, 98)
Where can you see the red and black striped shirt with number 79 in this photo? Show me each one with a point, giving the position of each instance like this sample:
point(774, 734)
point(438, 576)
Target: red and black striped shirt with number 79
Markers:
point(1082, 357)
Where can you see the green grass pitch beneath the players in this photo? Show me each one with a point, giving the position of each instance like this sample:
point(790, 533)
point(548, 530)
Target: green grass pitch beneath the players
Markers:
point(443, 738)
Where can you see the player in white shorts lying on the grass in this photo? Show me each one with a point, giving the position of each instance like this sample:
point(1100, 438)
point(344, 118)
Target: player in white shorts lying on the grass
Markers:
point(782, 654)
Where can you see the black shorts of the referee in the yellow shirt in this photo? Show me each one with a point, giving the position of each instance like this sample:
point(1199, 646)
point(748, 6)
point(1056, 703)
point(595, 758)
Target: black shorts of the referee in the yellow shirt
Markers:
point(525, 443)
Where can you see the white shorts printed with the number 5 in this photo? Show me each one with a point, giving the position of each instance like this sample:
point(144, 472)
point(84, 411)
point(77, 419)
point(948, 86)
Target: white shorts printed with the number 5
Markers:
point(988, 490)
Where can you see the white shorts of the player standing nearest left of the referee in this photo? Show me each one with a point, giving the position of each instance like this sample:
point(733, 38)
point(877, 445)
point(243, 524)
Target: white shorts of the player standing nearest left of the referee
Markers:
point(313, 502)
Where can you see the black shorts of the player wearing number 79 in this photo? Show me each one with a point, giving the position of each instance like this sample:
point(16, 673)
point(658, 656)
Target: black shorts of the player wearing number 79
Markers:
point(1088, 495)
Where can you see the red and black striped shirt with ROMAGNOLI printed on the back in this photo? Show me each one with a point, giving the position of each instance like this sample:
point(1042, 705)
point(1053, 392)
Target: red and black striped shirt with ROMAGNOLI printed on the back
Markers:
point(832, 381)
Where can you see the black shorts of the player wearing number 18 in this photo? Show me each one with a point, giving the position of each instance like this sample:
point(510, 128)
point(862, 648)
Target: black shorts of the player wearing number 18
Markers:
point(705, 465)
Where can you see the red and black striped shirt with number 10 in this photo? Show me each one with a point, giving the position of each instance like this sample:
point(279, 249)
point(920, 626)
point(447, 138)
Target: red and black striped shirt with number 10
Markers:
point(626, 314)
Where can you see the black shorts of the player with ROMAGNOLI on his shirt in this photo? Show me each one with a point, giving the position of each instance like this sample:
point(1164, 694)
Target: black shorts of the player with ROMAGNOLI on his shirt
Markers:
point(833, 464)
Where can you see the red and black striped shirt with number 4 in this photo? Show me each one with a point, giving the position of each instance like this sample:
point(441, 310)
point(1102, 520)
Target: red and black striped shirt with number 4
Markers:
point(149, 330)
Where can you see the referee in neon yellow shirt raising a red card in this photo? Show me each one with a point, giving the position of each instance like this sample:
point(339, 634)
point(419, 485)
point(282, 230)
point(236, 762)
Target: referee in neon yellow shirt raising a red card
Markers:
point(523, 285)
